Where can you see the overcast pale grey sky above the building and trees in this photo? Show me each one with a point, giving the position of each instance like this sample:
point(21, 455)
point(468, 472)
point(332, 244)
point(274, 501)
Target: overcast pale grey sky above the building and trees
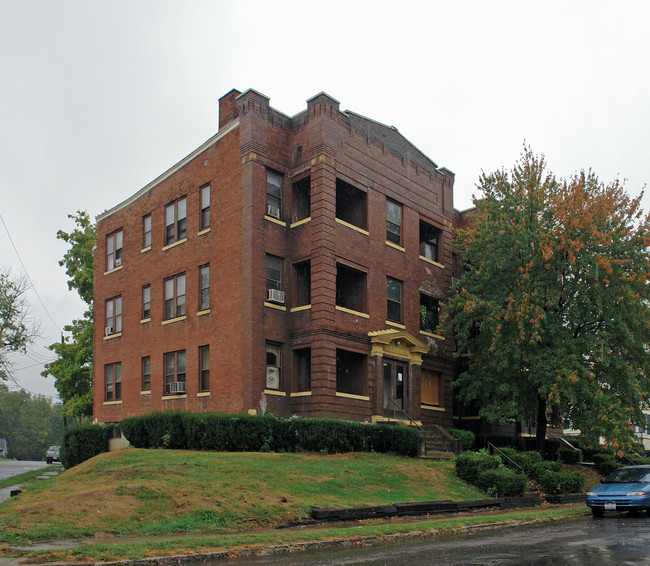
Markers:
point(99, 98)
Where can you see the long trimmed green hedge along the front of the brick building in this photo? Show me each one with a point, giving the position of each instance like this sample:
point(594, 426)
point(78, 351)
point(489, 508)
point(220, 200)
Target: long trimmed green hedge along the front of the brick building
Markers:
point(246, 433)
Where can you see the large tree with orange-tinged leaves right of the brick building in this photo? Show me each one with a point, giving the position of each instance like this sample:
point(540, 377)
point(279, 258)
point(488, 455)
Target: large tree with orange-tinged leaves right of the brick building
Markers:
point(553, 306)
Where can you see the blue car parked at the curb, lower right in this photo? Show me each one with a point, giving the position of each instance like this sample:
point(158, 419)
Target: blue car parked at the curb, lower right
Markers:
point(625, 489)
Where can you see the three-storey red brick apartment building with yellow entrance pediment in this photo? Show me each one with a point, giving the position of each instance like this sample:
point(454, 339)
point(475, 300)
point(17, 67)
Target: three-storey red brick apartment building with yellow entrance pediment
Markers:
point(293, 265)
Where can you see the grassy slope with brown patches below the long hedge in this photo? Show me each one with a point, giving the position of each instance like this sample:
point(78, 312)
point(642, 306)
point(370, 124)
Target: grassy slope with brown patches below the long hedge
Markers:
point(146, 492)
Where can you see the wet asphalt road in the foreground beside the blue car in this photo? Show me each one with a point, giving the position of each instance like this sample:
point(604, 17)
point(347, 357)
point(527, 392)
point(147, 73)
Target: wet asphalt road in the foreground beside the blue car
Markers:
point(615, 540)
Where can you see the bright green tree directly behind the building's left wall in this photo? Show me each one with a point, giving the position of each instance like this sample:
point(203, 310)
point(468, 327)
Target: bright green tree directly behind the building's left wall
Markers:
point(72, 370)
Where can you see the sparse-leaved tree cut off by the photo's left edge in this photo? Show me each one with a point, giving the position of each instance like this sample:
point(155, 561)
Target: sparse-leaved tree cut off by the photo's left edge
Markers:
point(15, 329)
